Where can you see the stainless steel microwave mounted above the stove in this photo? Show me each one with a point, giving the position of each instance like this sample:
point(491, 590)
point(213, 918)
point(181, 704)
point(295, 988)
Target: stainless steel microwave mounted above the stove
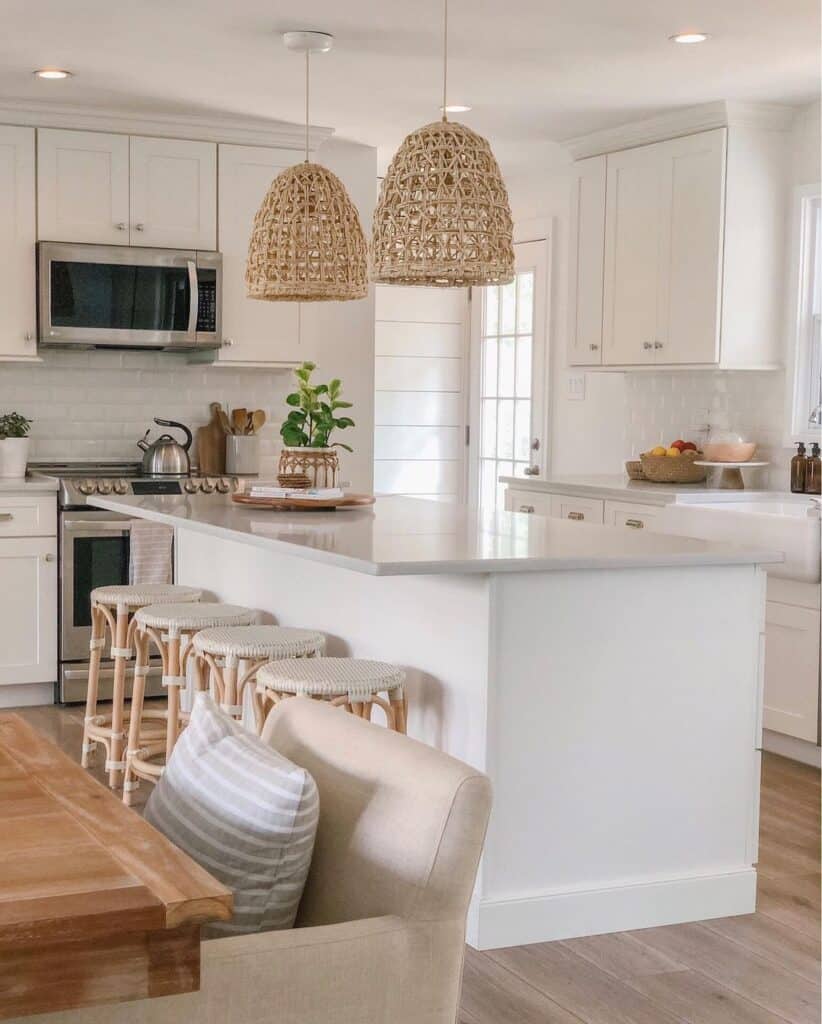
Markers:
point(128, 297)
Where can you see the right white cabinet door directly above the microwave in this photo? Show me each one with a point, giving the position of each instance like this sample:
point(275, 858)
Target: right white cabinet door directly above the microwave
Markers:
point(174, 194)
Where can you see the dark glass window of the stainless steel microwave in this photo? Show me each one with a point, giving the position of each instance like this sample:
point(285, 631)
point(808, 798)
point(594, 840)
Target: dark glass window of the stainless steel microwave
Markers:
point(112, 296)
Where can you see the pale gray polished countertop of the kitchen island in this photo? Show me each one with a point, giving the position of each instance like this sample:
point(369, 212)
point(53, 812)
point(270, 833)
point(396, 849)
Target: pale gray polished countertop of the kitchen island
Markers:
point(407, 536)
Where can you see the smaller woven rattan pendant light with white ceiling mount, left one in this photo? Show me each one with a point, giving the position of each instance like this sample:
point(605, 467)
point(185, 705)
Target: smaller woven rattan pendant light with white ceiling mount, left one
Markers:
point(308, 243)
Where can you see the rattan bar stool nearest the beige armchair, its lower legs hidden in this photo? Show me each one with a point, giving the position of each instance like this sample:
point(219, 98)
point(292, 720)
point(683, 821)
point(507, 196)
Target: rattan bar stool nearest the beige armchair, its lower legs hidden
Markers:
point(344, 682)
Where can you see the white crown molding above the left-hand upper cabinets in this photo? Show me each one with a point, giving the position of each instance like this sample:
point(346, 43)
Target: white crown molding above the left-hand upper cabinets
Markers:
point(238, 131)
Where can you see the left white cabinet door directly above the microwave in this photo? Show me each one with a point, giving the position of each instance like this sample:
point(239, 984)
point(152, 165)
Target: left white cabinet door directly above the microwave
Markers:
point(83, 187)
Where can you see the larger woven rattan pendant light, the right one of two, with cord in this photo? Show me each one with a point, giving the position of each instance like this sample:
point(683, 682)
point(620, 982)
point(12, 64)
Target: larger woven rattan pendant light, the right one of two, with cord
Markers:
point(444, 219)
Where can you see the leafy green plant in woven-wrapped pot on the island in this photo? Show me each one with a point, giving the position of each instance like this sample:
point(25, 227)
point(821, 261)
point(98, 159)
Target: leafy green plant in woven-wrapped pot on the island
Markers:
point(309, 455)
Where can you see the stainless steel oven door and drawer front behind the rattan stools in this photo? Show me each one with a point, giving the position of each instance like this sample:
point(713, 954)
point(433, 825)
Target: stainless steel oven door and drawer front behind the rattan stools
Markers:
point(95, 552)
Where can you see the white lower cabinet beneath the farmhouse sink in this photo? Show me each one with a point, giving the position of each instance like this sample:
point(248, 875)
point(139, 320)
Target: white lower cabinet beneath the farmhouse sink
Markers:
point(792, 669)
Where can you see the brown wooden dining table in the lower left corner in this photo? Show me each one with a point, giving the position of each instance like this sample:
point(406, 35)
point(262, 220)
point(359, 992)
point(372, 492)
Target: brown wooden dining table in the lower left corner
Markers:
point(96, 906)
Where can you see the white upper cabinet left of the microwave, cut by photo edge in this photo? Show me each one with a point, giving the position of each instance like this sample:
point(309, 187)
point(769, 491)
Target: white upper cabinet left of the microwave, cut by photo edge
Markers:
point(18, 230)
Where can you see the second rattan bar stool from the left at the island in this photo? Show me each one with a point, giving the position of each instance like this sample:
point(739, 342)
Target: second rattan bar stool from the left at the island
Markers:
point(170, 628)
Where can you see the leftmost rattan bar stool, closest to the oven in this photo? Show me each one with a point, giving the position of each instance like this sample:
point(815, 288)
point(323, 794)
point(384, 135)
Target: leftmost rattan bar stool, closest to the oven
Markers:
point(113, 609)
